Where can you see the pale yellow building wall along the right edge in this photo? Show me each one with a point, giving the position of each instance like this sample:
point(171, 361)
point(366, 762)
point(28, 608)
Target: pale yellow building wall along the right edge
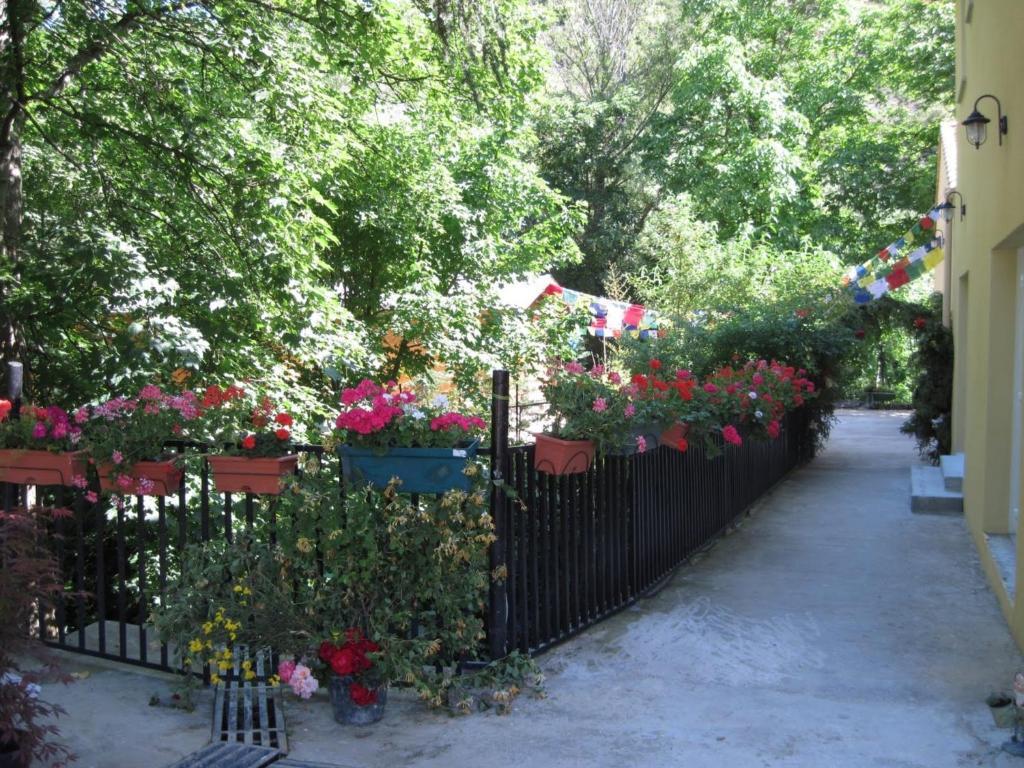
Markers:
point(984, 276)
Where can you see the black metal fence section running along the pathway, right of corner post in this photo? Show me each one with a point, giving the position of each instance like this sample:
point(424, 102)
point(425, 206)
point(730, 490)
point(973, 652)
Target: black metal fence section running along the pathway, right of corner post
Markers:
point(579, 548)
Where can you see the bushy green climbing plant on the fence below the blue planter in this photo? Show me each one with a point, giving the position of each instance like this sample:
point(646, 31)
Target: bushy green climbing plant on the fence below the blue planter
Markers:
point(413, 578)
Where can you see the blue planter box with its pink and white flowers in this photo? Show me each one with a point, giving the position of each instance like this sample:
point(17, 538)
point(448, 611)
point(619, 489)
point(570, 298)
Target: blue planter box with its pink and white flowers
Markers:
point(387, 434)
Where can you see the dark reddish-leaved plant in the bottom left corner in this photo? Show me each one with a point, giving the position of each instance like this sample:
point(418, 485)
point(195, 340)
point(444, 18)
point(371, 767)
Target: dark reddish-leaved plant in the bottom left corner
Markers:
point(29, 583)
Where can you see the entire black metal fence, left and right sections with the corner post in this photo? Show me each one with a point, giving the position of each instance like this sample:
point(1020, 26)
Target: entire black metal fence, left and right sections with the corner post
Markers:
point(575, 549)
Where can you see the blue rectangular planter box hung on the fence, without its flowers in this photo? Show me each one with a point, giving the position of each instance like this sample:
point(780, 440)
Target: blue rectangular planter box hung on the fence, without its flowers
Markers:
point(421, 471)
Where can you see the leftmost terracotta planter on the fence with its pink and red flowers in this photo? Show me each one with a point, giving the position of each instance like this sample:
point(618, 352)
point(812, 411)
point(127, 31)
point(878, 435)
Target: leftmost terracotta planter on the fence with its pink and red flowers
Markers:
point(40, 448)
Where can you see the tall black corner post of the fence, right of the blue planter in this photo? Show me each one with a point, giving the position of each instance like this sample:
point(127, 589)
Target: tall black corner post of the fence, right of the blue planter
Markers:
point(498, 612)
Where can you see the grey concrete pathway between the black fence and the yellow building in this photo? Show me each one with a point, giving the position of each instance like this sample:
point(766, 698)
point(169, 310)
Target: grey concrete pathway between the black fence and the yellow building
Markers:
point(833, 629)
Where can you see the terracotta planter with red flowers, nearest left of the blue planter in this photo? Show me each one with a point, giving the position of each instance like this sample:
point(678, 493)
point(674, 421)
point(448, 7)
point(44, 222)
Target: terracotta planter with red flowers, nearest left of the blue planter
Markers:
point(254, 451)
